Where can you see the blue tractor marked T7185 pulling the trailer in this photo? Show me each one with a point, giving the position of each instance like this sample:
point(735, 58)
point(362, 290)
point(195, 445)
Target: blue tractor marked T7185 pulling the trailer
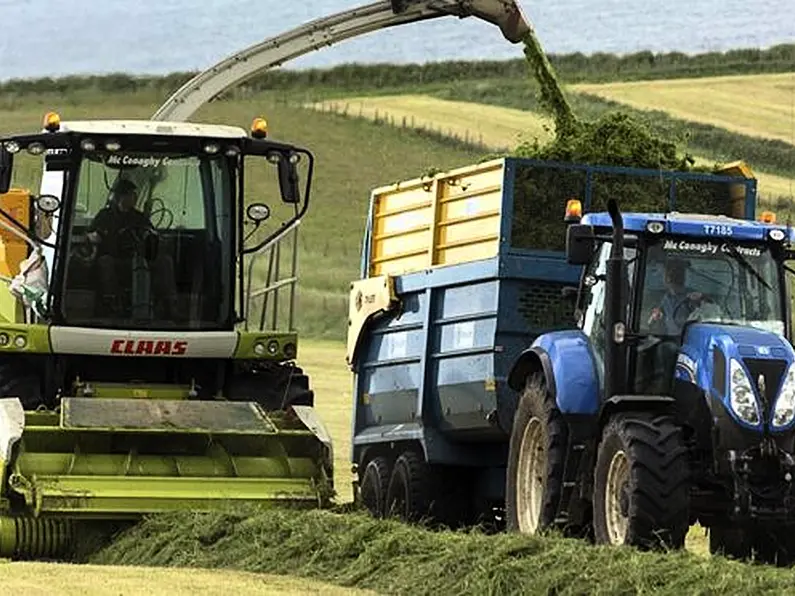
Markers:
point(672, 401)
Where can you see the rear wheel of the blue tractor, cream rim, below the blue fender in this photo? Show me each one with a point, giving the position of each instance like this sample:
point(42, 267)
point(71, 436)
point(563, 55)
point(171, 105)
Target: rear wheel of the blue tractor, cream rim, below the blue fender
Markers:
point(536, 461)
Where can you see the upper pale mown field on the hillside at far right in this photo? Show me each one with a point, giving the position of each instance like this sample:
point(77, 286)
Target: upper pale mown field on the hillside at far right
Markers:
point(754, 105)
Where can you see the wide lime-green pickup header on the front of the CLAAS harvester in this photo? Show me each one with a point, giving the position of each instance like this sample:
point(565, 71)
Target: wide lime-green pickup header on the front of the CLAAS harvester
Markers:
point(123, 458)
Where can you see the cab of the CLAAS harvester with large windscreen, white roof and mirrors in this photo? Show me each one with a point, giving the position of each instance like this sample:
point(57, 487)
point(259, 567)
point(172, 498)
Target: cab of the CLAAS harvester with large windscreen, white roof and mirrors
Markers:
point(144, 222)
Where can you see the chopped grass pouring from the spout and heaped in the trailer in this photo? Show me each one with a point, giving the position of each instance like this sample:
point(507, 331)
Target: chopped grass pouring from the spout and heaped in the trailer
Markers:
point(613, 139)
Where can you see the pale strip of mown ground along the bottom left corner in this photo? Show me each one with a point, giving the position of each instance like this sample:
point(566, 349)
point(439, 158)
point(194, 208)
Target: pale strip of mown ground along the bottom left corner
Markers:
point(46, 579)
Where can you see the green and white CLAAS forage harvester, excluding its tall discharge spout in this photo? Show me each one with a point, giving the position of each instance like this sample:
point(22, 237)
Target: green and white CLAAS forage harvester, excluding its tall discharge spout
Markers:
point(147, 359)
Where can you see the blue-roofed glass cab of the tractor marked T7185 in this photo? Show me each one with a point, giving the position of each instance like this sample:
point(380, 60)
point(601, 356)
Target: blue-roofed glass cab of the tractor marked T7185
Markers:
point(678, 270)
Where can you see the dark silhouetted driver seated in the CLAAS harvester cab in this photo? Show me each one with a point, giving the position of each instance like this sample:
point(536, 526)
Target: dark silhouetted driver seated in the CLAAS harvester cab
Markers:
point(107, 234)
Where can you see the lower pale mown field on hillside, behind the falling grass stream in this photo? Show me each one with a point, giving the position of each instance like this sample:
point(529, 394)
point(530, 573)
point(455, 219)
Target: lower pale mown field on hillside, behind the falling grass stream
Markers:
point(496, 126)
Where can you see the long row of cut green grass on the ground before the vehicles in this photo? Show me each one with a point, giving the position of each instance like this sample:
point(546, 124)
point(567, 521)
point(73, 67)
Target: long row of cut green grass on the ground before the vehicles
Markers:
point(356, 550)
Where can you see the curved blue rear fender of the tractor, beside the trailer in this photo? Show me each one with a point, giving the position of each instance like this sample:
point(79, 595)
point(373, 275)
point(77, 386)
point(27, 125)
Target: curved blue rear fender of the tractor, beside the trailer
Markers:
point(567, 361)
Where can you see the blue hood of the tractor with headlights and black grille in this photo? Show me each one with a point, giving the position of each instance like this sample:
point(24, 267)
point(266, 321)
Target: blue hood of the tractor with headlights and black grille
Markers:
point(746, 369)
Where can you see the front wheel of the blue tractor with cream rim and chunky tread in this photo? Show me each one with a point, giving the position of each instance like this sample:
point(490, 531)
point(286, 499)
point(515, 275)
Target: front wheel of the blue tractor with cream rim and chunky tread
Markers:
point(642, 483)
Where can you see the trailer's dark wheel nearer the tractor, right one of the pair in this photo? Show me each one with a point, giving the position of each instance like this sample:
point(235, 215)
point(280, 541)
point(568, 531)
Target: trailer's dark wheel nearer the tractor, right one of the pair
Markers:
point(409, 488)
